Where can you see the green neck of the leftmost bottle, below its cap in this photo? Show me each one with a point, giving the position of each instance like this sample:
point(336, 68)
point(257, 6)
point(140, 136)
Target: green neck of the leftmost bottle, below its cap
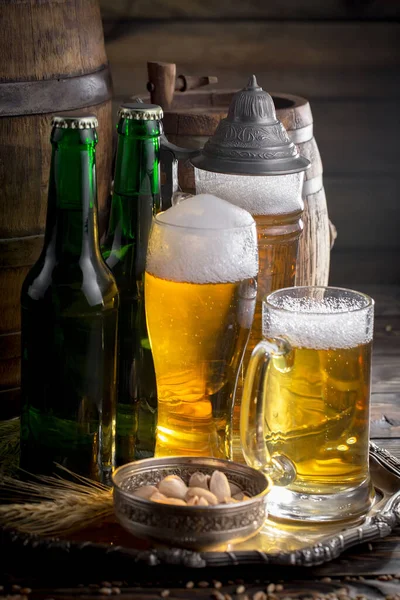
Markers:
point(71, 229)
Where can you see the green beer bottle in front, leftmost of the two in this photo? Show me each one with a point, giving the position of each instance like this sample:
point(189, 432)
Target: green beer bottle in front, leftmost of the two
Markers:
point(69, 321)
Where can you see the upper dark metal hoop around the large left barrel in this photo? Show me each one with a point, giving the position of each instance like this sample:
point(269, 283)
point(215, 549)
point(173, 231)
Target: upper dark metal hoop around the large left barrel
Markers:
point(20, 98)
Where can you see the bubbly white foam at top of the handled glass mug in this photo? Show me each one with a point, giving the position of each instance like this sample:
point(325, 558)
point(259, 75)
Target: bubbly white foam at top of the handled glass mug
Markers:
point(320, 318)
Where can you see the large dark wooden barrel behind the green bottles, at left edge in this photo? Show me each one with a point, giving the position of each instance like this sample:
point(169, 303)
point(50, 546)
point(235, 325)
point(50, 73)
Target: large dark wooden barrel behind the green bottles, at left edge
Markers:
point(52, 60)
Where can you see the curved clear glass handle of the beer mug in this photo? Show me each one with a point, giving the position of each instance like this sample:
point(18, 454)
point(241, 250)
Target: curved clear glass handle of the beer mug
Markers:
point(253, 425)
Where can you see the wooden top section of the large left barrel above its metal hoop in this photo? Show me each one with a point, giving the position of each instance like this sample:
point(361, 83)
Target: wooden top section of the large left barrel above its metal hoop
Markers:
point(47, 26)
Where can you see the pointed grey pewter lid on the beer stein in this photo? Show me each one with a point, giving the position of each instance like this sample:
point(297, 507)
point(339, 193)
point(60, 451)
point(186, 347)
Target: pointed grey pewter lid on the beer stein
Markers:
point(251, 140)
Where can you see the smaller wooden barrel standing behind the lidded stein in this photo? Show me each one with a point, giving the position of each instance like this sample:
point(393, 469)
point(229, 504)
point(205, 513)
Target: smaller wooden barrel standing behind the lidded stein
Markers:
point(195, 115)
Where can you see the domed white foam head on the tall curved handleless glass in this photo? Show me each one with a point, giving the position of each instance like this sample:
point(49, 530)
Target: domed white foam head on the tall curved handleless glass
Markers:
point(203, 239)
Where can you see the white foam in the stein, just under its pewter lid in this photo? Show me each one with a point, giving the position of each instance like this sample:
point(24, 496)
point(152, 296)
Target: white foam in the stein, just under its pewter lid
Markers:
point(261, 195)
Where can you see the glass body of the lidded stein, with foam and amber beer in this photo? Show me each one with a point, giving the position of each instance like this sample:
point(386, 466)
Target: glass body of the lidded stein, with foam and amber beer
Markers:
point(276, 204)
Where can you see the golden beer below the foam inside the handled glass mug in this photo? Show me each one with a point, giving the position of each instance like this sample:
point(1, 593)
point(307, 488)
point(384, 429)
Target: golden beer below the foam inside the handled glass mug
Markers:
point(318, 415)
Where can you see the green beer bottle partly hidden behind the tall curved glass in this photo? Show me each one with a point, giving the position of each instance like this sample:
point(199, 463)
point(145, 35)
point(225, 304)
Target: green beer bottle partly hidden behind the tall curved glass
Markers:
point(136, 198)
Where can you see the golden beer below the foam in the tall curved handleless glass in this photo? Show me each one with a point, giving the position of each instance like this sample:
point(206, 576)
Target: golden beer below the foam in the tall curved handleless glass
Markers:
point(197, 338)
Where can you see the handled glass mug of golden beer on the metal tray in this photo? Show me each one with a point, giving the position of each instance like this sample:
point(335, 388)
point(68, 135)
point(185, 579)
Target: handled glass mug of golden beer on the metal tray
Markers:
point(306, 402)
